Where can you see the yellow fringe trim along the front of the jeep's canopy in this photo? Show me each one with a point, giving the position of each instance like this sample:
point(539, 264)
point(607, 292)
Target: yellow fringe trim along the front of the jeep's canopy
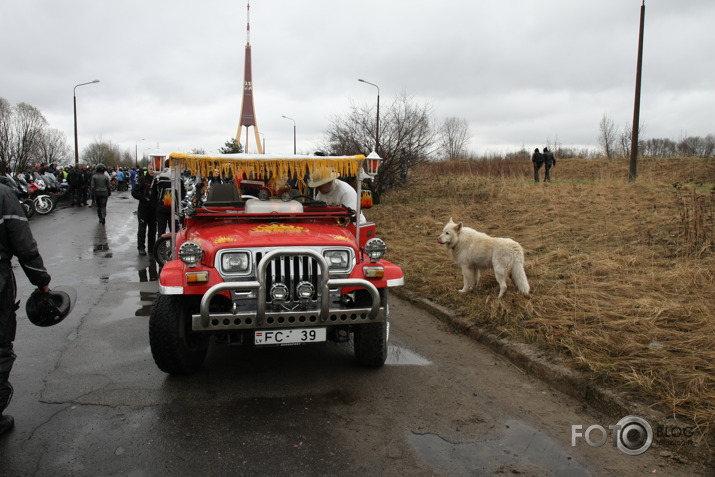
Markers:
point(267, 167)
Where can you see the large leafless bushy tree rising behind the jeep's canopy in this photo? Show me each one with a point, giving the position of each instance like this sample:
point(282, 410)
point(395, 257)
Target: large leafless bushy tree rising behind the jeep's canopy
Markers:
point(407, 138)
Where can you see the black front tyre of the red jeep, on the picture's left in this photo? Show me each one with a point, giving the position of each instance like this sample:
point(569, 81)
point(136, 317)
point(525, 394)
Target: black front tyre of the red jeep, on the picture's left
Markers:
point(175, 347)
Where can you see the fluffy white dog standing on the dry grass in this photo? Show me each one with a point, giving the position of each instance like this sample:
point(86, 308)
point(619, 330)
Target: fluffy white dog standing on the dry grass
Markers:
point(475, 251)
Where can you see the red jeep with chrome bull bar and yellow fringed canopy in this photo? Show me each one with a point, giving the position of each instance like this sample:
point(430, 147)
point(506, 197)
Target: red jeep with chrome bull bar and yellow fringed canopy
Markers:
point(272, 268)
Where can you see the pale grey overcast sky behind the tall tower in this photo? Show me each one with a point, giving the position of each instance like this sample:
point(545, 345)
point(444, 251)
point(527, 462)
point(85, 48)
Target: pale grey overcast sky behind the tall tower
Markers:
point(521, 72)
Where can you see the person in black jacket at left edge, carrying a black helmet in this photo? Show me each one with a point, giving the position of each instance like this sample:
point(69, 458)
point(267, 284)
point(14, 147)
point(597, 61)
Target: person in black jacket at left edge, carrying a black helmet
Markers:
point(15, 240)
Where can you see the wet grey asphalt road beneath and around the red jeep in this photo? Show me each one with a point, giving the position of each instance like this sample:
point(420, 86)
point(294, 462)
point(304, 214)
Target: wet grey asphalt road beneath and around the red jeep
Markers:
point(89, 400)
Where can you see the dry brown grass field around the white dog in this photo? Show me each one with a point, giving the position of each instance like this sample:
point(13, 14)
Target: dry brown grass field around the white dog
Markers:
point(622, 274)
